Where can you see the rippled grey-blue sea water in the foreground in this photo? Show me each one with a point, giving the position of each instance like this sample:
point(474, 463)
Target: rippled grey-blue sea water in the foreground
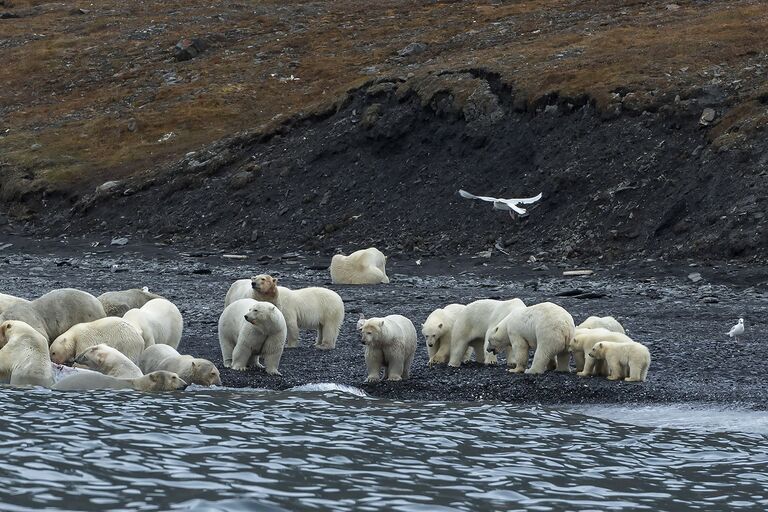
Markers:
point(320, 448)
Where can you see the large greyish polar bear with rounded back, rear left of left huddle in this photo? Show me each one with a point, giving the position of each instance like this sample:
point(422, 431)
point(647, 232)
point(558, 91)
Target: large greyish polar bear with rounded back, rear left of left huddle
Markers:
point(56, 311)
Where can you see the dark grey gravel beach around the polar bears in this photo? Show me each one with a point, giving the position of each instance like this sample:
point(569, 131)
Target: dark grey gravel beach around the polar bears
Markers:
point(681, 321)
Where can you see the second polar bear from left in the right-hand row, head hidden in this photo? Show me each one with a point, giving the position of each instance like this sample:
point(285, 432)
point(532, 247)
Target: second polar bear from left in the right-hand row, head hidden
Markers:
point(471, 327)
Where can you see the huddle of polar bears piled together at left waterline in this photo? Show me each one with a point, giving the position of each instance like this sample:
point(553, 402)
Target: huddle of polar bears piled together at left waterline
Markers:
point(135, 348)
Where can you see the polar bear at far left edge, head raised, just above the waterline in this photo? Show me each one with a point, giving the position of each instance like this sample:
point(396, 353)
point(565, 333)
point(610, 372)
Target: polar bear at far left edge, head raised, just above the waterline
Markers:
point(24, 359)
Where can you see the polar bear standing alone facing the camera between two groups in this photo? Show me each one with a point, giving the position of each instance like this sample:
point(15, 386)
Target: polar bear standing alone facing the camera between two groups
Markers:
point(390, 342)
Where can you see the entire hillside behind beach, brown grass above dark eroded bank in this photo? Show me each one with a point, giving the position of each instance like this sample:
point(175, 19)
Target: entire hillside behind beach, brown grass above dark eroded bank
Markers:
point(275, 126)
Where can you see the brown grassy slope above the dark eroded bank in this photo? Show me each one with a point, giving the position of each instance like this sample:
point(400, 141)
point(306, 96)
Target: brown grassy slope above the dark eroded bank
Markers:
point(75, 83)
